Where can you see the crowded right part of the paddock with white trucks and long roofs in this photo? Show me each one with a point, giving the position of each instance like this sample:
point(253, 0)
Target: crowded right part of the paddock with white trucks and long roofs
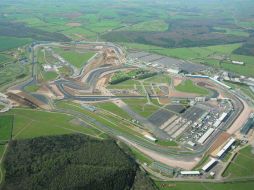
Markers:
point(204, 122)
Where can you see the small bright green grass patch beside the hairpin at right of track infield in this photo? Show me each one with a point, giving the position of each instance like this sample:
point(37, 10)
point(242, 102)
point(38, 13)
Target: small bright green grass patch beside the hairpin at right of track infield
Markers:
point(189, 87)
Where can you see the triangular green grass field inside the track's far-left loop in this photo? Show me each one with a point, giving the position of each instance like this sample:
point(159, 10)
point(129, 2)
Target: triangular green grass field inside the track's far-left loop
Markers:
point(75, 58)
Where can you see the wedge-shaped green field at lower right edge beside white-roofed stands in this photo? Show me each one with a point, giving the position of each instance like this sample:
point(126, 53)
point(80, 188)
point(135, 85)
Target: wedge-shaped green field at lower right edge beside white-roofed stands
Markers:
point(242, 164)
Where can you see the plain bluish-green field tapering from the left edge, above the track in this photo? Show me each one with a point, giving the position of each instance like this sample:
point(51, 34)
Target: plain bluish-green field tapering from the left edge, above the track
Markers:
point(7, 43)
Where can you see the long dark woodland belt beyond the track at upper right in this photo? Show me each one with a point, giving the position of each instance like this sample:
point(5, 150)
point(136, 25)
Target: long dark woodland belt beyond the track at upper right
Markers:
point(181, 33)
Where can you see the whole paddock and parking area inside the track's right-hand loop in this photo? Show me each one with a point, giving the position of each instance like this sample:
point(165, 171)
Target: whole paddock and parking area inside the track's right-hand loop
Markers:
point(192, 126)
